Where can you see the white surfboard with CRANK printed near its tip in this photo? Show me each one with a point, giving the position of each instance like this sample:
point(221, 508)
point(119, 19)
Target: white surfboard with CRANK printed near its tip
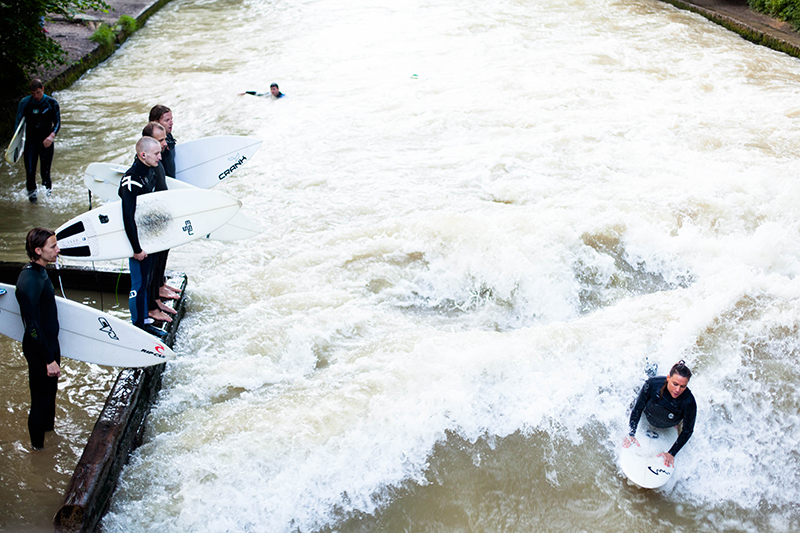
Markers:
point(207, 161)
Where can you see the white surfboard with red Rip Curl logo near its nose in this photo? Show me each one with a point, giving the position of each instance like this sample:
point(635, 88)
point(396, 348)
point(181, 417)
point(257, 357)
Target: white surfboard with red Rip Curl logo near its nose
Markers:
point(90, 335)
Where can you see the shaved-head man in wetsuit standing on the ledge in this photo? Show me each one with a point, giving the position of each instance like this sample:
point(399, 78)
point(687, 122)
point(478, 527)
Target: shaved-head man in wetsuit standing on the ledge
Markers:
point(141, 178)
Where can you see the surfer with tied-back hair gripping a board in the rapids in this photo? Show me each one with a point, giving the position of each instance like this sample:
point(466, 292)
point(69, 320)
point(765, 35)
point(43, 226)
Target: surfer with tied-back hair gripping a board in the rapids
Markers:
point(666, 401)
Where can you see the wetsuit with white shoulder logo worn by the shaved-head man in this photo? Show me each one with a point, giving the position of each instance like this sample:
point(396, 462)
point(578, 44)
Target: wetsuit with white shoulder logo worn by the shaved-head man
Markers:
point(139, 179)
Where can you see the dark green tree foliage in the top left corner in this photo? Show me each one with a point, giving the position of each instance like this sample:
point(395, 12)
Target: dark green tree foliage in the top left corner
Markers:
point(24, 47)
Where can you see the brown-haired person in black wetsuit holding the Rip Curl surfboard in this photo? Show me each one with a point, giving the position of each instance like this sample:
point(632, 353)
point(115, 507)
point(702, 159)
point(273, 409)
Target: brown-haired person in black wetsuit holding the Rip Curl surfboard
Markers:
point(37, 305)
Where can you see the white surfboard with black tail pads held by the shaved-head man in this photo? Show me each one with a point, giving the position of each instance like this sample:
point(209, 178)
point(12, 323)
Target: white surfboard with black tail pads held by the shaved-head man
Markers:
point(164, 220)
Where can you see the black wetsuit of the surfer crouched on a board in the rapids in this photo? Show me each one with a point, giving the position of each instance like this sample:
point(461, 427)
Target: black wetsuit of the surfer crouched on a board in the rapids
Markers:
point(665, 411)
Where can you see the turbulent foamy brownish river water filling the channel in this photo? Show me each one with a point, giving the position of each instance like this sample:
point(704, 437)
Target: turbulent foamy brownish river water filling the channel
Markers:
point(482, 219)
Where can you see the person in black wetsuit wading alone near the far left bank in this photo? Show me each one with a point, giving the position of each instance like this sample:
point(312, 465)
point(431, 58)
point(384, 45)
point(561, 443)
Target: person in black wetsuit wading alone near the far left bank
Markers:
point(42, 122)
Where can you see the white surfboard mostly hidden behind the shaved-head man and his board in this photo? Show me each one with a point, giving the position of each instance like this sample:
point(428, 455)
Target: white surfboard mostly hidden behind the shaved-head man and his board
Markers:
point(103, 180)
